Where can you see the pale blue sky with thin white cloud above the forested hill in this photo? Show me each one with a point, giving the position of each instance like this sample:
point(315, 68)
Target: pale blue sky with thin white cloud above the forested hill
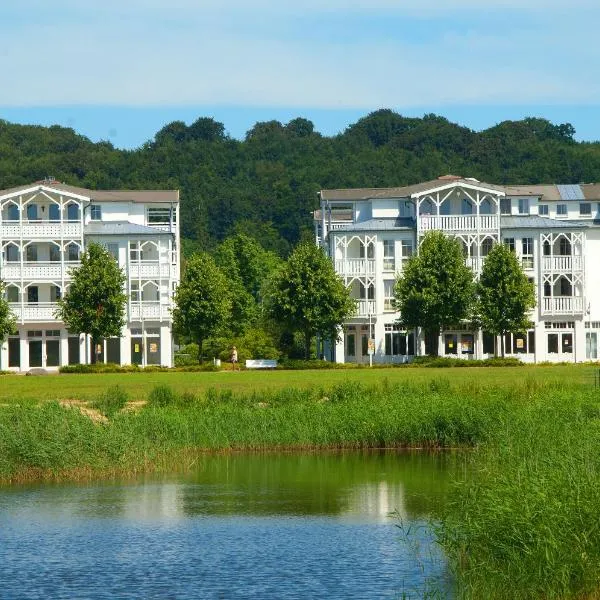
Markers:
point(120, 70)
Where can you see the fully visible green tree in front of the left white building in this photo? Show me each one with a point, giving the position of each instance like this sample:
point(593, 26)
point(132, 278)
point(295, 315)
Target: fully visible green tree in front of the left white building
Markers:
point(95, 301)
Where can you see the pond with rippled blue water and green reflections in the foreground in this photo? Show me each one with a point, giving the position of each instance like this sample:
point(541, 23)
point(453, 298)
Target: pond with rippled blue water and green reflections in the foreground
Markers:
point(262, 526)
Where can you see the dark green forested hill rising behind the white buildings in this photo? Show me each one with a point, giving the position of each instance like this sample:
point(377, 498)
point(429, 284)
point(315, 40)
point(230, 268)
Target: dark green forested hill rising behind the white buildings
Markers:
point(267, 184)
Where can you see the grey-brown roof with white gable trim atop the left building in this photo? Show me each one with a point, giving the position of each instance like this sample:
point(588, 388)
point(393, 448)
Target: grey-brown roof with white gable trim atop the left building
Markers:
point(142, 196)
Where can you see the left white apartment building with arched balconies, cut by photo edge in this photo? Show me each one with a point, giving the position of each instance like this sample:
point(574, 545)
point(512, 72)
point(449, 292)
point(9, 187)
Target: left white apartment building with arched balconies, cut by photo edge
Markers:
point(44, 228)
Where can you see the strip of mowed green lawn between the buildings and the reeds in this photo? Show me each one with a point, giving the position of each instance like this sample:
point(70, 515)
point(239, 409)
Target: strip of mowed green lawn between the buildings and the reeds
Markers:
point(18, 388)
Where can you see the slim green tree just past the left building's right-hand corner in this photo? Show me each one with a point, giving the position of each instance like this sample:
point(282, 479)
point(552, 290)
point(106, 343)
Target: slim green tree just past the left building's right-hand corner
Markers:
point(202, 300)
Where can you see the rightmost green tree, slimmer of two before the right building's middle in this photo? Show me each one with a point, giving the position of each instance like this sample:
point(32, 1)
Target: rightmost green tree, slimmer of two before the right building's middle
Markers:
point(504, 294)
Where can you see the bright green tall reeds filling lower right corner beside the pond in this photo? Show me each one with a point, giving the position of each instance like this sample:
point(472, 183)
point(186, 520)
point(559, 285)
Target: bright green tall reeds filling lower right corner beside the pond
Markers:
point(525, 524)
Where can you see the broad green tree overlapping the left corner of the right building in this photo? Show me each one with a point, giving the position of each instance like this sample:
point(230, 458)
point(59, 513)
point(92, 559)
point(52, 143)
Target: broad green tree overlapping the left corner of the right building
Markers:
point(306, 295)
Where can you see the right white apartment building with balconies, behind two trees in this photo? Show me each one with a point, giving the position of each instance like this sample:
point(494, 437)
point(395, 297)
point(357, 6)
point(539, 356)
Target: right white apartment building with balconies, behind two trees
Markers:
point(554, 229)
